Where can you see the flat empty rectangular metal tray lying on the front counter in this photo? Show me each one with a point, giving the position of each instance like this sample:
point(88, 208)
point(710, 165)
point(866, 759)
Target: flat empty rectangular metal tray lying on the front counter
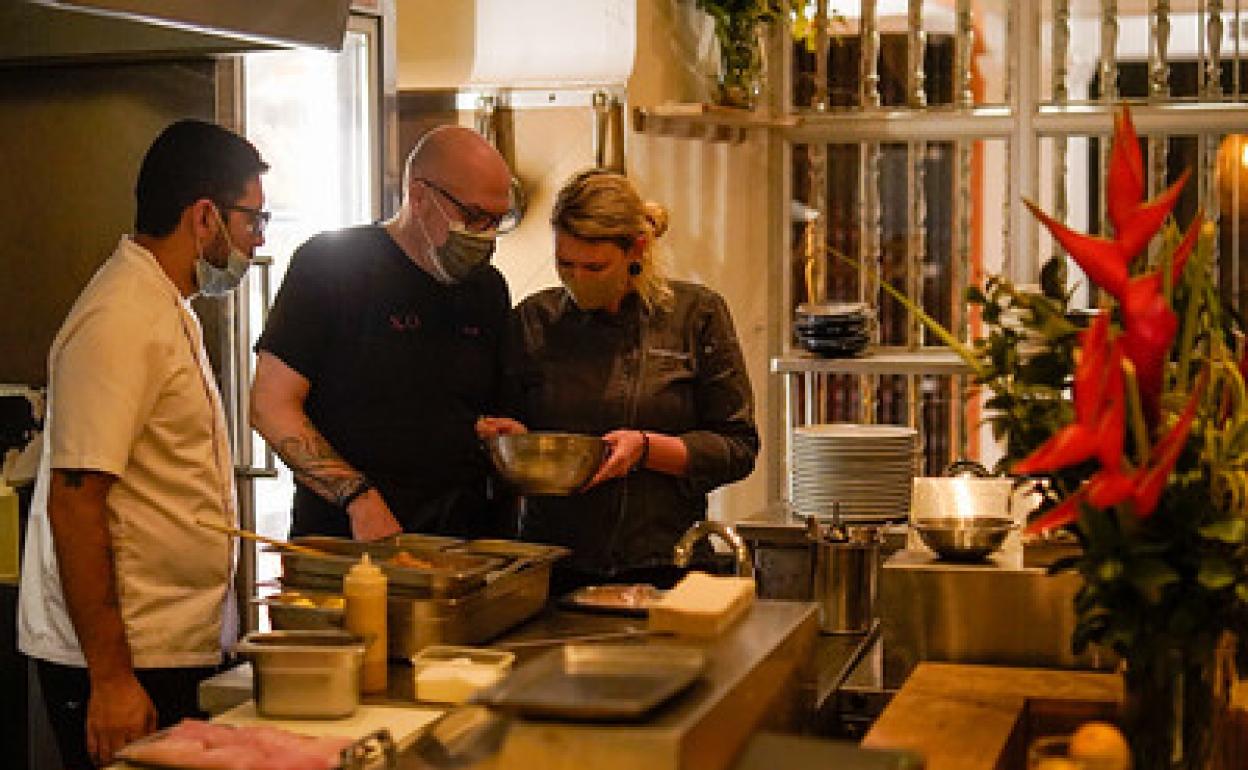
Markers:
point(598, 682)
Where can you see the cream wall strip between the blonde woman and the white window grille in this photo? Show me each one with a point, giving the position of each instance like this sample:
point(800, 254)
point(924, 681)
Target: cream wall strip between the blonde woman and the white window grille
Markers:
point(717, 197)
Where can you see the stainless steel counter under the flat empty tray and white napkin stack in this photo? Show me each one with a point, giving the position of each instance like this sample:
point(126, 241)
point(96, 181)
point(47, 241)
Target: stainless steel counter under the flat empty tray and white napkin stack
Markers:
point(767, 672)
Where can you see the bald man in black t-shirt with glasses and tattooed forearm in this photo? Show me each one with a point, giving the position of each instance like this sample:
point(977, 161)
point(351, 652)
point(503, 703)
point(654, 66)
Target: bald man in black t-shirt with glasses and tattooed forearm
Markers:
point(383, 349)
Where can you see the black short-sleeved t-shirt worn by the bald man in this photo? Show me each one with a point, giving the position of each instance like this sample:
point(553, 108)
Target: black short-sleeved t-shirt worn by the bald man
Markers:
point(400, 368)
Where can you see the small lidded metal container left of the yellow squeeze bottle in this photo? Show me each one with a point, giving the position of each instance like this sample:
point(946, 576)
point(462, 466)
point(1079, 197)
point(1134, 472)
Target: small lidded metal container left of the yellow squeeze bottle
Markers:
point(305, 675)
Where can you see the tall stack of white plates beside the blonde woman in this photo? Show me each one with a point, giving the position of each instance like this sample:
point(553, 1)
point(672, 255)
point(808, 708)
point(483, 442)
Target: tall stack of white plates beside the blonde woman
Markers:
point(868, 470)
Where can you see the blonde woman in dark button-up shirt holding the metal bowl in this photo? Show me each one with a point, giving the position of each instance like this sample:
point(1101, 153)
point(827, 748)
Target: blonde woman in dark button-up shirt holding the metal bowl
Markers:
point(650, 364)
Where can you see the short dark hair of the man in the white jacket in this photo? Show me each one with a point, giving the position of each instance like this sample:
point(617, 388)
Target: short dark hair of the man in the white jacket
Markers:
point(192, 160)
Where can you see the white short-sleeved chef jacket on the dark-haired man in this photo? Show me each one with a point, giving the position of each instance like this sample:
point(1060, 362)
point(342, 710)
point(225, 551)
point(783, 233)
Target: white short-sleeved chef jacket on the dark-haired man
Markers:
point(132, 394)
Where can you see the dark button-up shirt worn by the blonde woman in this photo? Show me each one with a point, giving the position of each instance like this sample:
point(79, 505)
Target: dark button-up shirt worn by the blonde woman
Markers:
point(676, 371)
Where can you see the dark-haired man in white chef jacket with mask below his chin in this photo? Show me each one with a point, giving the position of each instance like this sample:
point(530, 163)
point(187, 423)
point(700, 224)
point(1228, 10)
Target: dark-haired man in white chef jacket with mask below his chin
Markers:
point(125, 600)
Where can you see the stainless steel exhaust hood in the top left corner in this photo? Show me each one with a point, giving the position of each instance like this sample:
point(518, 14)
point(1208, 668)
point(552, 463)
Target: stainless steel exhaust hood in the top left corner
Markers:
point(44, 31)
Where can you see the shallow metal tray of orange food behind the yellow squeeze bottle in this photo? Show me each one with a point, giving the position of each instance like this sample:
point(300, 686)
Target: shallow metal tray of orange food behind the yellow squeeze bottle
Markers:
point(450, 575)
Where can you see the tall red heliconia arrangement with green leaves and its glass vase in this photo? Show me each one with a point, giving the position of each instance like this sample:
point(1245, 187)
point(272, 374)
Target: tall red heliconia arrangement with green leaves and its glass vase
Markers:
point(1133, 422)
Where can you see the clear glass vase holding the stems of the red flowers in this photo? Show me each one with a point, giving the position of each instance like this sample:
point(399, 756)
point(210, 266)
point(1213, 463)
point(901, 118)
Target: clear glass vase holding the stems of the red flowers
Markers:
point(1176, 706)
